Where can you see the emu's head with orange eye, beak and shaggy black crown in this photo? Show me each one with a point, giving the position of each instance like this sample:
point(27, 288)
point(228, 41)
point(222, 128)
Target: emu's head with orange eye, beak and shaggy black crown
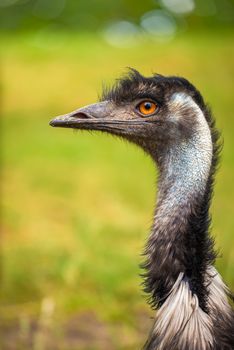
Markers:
point(155, 112)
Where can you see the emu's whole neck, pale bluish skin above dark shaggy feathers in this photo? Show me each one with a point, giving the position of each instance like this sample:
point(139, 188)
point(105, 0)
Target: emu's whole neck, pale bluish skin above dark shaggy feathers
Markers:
point(179, 241)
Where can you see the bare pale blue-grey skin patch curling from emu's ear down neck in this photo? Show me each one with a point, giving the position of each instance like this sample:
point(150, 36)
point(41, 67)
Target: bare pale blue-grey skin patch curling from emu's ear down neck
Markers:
point(186, 166)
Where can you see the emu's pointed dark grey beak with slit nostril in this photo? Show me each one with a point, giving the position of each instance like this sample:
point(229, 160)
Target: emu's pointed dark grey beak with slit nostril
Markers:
point(91, 117)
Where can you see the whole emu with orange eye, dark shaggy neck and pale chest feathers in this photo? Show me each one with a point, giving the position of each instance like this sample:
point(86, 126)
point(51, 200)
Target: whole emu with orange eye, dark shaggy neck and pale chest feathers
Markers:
point(168, 118)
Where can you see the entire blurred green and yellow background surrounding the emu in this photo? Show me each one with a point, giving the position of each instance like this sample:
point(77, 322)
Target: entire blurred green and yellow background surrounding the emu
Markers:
point(77, 207)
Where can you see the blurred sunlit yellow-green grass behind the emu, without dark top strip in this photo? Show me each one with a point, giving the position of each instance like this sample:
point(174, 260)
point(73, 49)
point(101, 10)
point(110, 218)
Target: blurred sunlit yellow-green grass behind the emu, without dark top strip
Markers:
point(77, 206)
